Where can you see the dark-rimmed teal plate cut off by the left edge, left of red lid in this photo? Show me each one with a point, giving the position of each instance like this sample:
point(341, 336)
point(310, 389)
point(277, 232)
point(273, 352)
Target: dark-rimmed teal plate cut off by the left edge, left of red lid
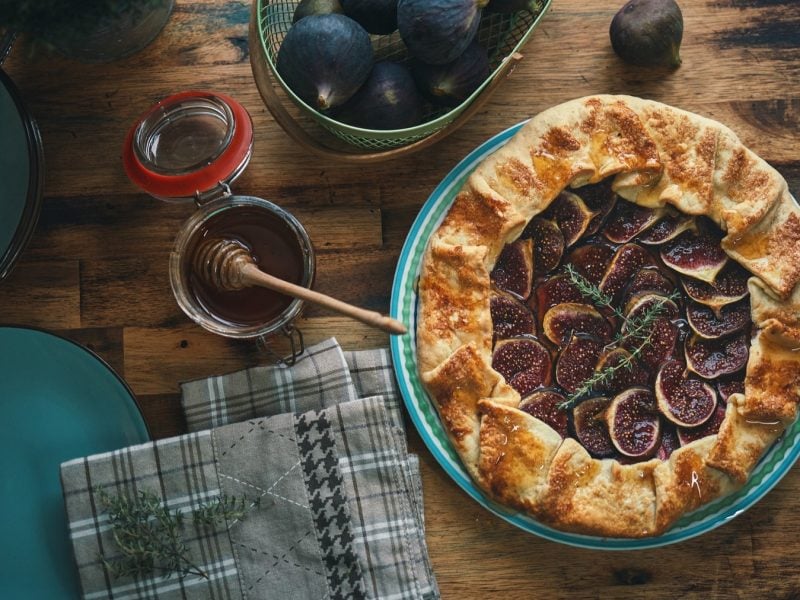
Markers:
point(21, 174)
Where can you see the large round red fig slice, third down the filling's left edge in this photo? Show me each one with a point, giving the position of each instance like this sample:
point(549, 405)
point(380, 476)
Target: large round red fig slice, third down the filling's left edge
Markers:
point(524, 363)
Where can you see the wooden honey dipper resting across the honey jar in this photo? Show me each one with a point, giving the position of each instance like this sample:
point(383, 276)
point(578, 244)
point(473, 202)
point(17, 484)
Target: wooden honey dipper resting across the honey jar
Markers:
point(228, 265)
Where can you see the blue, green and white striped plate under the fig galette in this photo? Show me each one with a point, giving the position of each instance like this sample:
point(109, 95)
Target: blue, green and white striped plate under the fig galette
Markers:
point(772, 467)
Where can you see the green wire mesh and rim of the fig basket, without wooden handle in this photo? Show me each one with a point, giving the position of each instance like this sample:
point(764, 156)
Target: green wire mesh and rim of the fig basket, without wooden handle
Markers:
point(500, 34)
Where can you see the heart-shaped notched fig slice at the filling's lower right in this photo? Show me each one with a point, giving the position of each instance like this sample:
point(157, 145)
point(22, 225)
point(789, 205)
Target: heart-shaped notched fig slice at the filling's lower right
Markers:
point(685, 402)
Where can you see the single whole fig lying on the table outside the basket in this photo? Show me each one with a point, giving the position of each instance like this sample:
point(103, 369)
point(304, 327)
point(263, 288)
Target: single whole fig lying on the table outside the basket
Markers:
point(648, 33)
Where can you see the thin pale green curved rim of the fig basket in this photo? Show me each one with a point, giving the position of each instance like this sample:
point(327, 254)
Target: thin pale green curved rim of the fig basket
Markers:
point(417, 131)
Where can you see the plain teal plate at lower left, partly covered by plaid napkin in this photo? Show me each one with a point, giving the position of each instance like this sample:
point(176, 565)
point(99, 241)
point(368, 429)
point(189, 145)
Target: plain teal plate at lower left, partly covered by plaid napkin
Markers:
point(58, 401)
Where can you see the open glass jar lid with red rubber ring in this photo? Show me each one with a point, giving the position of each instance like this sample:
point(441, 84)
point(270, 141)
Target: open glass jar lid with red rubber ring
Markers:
point(188, 144)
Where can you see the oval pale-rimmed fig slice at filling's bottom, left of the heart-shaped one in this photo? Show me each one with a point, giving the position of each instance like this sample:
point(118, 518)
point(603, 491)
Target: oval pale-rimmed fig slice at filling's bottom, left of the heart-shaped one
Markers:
point(633, 423)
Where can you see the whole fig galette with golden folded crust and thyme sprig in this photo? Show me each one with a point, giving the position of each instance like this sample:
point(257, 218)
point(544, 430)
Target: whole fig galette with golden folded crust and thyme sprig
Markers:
point(609, 316)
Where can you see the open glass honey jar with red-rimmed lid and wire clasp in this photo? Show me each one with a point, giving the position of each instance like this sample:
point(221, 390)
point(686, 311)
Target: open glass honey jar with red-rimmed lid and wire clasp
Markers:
point(190, 147)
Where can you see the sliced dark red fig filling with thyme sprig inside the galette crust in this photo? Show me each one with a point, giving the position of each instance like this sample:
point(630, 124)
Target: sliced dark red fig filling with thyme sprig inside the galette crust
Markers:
point(624, 327)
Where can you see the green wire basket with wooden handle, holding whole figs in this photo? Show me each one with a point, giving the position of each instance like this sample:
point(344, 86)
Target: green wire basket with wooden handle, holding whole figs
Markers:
point(503, 35)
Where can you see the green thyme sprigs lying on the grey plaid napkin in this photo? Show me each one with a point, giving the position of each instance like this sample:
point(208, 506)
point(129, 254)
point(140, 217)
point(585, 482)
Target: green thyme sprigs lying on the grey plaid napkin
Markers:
point(148, 535)
